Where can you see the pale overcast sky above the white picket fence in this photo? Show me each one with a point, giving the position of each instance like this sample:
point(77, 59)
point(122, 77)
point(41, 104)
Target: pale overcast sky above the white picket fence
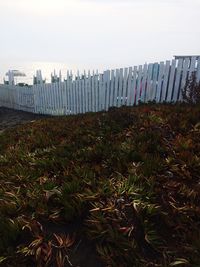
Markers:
point(95, 34)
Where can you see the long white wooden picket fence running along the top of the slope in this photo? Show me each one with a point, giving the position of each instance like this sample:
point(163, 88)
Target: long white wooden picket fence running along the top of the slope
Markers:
point(160, 82)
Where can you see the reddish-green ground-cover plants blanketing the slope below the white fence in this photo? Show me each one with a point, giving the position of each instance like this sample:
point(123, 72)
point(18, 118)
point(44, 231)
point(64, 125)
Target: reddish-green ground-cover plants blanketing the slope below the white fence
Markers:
point(125, 182)
